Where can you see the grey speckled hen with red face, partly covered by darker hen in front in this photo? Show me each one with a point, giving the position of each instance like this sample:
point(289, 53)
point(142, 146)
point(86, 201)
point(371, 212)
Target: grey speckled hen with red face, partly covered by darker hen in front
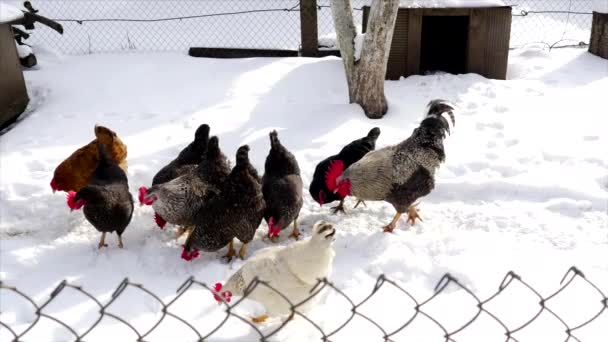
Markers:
point(178, 200)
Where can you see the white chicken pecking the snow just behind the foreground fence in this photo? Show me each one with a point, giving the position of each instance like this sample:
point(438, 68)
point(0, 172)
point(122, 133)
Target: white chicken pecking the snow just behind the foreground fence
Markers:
point(292, 270)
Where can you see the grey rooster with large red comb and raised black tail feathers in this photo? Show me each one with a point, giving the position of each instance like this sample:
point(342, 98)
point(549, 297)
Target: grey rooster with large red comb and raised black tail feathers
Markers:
point(402, 173)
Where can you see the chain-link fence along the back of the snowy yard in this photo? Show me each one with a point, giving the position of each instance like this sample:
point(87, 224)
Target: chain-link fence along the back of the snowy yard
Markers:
point(93, 26)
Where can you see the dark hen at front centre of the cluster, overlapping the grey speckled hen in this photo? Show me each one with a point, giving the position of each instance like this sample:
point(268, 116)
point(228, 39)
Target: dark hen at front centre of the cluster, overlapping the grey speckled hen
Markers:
point(236, 212)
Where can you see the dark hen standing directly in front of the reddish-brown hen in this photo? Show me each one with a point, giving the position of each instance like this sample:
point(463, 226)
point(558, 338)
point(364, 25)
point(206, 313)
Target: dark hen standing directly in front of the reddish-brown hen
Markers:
point(108, 204)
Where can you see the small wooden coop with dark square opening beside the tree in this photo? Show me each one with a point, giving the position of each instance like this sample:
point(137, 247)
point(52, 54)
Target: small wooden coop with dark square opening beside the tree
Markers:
point(456, 40)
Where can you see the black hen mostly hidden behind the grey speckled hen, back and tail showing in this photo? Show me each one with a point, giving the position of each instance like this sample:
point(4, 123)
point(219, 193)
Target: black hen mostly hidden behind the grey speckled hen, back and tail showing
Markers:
point(187, 159)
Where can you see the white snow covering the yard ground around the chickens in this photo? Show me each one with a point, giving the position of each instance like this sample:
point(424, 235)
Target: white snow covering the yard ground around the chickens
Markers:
point(524, 188)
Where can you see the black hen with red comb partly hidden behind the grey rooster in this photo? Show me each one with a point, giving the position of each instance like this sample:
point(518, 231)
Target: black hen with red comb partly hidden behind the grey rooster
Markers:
point(350, 154)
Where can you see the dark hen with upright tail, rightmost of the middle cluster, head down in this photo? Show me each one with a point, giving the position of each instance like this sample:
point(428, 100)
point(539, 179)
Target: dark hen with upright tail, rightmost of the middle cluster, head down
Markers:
point(282, 189)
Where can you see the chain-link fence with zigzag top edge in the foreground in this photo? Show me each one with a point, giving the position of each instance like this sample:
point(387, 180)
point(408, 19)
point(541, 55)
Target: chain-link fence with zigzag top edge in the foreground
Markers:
point(41, 322)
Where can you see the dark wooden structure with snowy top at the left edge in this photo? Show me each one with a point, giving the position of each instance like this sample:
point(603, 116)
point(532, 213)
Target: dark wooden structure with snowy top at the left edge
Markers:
point(13, 97)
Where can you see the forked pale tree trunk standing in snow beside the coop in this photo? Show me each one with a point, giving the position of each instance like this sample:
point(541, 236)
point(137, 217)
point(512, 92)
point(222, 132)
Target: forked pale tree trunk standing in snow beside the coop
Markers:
point(366, 76)
